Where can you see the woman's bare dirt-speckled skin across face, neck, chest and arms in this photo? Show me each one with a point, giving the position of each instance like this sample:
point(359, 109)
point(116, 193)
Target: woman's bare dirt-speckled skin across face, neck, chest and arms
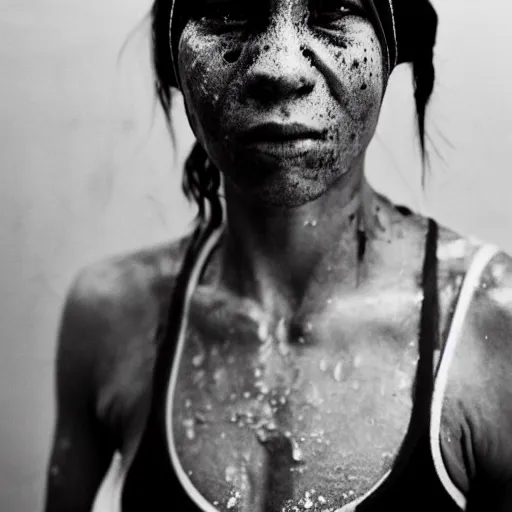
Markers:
point(294, 335)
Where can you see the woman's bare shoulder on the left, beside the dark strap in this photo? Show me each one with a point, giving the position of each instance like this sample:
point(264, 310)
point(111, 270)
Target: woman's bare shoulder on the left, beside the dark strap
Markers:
point(114, 306)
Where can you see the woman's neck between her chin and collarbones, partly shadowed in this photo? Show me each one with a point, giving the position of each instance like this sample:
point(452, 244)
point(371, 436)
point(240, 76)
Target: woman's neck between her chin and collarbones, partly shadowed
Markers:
point(272, 254)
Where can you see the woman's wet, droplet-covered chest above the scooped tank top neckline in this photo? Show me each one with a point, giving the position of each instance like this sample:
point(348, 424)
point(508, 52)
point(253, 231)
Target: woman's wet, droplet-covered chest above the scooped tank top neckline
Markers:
point(268, 418)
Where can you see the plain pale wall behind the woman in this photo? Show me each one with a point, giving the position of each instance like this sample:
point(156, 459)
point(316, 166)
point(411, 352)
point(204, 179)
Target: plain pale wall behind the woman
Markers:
point(88, 170)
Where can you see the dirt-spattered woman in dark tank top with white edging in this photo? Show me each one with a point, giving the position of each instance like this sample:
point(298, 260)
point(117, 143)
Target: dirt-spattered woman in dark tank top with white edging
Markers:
point(310, 346)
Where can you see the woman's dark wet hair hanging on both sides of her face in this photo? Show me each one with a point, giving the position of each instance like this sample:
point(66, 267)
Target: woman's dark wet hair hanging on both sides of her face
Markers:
point(414, 24)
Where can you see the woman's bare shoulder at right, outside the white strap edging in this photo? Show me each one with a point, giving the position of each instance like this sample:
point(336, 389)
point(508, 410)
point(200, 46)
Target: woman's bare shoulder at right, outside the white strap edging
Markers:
point(479, 392)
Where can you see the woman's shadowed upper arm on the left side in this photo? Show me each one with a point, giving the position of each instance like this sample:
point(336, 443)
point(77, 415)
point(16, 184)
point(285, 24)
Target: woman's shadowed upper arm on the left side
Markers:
point(82, 448)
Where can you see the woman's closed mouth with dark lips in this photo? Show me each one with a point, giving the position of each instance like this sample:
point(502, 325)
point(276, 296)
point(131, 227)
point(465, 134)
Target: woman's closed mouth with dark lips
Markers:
point(282, 140)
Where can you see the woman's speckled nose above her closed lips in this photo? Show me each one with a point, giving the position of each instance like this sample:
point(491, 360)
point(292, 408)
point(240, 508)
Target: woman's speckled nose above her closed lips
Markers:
point(281, 70)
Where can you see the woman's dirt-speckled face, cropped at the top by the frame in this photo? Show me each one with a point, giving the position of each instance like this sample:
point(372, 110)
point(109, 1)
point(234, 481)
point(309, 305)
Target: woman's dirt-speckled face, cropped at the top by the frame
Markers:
point(284, 95)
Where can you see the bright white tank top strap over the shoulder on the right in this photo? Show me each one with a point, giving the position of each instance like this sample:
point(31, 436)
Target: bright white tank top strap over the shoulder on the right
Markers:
point(470, 283)
